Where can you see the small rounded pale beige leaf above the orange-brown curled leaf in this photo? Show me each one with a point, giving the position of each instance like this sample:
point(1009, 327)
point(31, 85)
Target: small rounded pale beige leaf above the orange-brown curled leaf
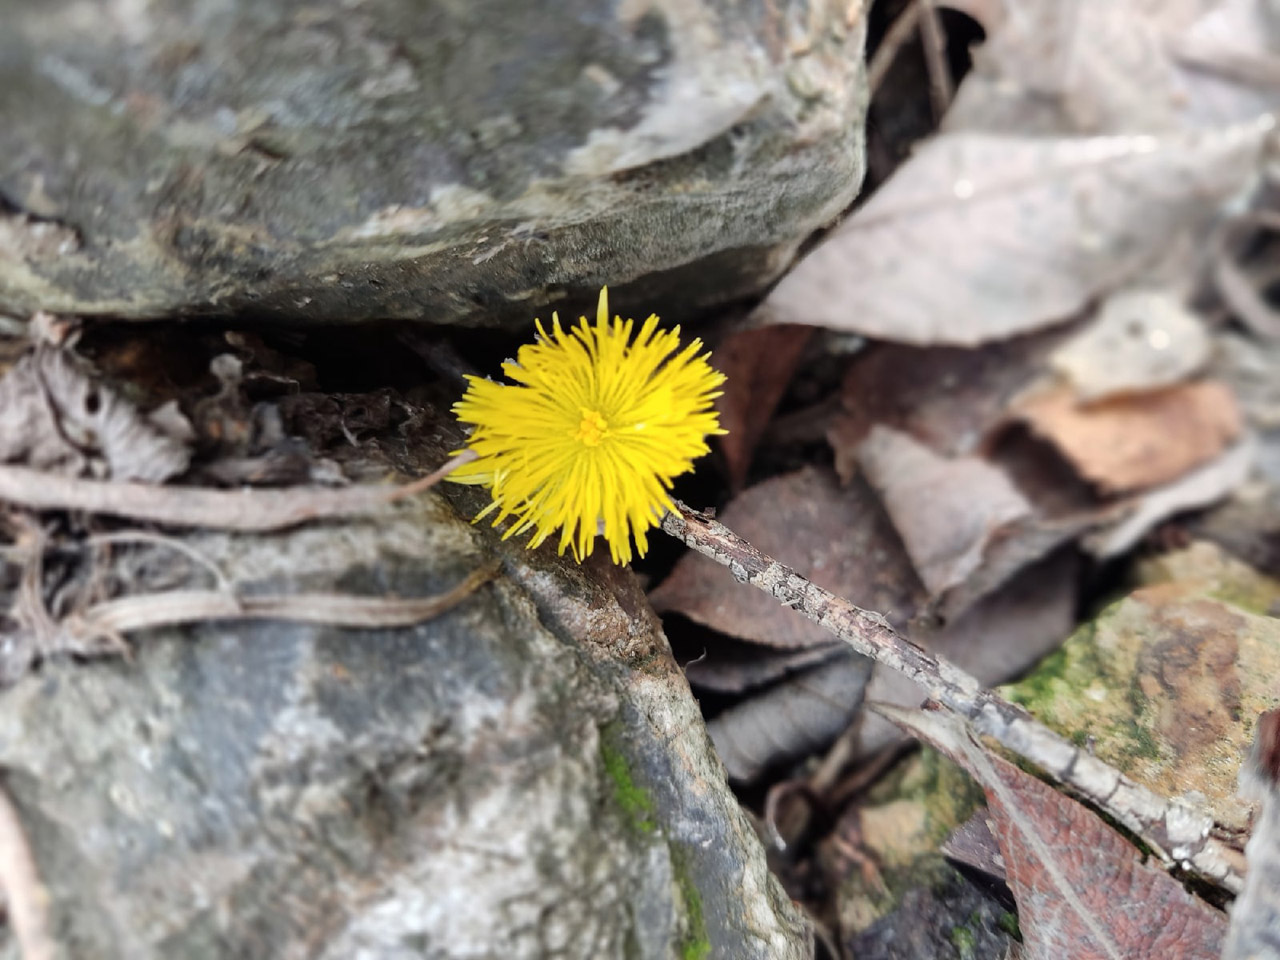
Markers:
point(1141, 340)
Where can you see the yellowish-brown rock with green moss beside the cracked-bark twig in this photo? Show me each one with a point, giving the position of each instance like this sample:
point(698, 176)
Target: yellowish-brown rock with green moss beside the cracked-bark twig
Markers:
point(1168, 683)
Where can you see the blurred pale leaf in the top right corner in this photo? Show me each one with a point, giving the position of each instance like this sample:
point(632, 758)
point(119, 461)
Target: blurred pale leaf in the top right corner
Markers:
point(1122, 66)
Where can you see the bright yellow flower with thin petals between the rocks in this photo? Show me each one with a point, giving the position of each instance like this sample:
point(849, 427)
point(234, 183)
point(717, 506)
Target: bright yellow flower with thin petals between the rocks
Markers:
point(593, 431)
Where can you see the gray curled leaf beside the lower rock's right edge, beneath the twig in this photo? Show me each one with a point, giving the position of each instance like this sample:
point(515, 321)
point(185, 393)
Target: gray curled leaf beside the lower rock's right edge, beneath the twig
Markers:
point(792, 719)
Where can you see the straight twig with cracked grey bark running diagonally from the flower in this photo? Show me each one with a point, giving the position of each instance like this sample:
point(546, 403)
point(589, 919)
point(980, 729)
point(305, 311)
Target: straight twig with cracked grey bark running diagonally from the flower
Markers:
point(1180, 834)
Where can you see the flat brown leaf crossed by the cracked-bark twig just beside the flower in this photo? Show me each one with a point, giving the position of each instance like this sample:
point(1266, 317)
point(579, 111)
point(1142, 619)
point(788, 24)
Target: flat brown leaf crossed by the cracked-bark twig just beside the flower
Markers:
point(838, 538)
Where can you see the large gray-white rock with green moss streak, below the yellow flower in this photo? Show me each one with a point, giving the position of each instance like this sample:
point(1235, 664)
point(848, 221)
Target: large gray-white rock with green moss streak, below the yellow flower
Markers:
point(527, 776)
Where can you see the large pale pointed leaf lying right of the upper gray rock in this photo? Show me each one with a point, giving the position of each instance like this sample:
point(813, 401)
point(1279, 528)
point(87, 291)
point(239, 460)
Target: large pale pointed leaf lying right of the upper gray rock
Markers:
point(981, 237)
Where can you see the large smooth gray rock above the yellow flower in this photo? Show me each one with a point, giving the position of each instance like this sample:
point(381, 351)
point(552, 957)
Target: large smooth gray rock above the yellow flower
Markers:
point(472, 163)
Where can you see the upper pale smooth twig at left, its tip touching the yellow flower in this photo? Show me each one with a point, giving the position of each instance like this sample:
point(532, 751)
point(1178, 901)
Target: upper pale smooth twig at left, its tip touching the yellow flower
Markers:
point(249, 510)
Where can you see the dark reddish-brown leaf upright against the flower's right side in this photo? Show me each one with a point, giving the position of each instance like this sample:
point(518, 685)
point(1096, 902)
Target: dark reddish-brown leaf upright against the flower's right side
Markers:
point(758, 365)
